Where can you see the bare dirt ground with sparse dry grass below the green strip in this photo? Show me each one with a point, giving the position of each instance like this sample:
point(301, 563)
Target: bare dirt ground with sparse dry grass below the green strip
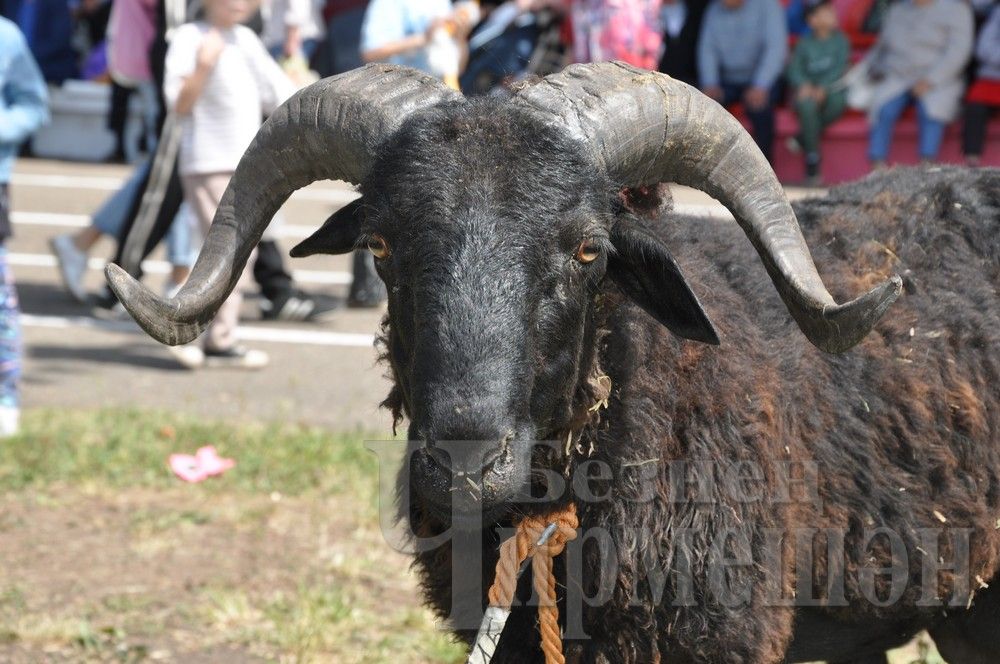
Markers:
point(163, 575)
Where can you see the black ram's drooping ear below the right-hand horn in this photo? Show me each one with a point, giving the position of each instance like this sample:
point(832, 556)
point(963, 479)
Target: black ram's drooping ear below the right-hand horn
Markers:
point(646, 272)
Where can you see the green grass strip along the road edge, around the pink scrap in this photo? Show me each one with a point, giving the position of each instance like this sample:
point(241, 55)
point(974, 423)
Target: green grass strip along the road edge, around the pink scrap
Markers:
point(129, 448)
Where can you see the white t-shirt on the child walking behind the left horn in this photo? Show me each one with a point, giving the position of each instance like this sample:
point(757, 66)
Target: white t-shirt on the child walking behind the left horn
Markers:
point(245, 84)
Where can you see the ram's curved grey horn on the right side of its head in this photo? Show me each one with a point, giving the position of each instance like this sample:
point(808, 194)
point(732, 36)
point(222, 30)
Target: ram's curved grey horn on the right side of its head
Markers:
point(647, 128)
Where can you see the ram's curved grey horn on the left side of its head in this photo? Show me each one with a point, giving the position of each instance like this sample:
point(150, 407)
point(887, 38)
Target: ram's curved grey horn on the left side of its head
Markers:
point(328, 130)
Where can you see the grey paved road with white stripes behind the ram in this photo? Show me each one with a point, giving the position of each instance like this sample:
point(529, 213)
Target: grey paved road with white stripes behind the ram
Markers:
point(322, 373)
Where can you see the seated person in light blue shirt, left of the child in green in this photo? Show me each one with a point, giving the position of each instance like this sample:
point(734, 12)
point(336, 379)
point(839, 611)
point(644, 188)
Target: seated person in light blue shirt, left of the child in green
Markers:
point(741, 55)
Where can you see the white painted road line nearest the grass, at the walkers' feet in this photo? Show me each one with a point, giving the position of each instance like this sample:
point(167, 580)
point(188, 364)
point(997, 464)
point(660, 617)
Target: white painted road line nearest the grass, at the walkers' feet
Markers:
point(246, 332)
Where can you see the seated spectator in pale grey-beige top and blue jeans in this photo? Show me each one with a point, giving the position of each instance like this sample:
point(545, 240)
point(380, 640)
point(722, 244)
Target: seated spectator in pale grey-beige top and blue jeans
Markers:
point(919, 60)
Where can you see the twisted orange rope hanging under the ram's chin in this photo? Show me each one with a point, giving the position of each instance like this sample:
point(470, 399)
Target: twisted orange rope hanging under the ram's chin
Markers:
point(515, 551)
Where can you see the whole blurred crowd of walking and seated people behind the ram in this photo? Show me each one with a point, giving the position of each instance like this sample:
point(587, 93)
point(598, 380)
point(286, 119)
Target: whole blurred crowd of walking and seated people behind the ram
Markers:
point(208, 71)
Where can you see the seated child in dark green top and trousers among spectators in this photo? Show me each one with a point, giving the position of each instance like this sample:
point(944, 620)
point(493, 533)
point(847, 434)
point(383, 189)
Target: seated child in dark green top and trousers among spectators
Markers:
point(818, 62)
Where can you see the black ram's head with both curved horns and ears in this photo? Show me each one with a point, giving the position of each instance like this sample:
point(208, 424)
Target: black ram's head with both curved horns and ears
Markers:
point(494, 224)
